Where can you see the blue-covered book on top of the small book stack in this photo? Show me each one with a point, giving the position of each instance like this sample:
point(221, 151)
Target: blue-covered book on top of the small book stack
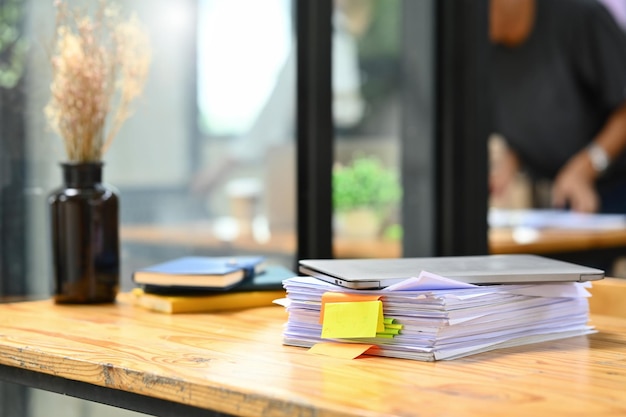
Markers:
point(200, 271)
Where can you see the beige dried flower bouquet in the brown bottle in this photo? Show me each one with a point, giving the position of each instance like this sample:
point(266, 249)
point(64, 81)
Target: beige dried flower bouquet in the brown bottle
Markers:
point(99, 67)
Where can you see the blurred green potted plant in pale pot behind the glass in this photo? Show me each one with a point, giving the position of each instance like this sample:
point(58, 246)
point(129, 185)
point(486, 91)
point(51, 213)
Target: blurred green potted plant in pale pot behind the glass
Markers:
point(365, 194)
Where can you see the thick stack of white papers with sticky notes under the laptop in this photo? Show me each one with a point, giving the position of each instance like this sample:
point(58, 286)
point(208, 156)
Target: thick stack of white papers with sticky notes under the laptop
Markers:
point(433, 318)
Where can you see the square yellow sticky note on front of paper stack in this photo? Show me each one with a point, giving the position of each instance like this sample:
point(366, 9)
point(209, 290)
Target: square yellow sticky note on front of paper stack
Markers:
point(352, 319)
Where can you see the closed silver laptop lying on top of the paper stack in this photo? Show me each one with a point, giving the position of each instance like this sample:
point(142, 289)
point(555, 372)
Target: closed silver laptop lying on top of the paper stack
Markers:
point(481, 270)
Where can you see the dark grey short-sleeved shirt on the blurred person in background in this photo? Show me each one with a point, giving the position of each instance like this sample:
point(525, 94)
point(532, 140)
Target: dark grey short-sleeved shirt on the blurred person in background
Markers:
point(554, 92)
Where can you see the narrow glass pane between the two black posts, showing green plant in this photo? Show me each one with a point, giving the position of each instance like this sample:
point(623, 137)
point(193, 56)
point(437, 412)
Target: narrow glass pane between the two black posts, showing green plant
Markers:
point(366, 110)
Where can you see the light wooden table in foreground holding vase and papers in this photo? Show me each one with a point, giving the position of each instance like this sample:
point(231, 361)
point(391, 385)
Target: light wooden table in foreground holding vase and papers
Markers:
point(235, 363)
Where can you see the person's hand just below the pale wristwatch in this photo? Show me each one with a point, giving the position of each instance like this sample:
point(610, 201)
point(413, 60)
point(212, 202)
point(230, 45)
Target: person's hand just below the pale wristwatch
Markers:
point(574, 186)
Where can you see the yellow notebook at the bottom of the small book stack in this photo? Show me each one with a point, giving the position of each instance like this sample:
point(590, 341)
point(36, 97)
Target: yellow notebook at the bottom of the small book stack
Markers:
point(203, 303)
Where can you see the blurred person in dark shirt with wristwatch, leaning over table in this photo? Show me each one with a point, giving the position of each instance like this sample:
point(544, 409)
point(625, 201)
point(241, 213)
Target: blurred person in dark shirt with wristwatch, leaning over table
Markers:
point(559, 95)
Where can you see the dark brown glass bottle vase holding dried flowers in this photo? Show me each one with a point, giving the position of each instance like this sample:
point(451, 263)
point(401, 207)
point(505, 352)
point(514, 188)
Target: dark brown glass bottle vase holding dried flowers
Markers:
point(85, 236)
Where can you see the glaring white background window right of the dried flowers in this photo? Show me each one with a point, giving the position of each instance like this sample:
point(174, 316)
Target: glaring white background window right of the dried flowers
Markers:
point(230, 99)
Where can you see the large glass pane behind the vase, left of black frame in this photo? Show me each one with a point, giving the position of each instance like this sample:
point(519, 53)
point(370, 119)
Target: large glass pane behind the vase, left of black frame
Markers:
point(205, 163)
